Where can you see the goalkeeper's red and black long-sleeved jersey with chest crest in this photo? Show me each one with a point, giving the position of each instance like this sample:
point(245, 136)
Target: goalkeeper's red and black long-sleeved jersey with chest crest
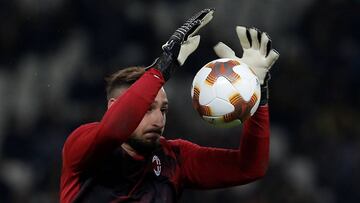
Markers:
point(97, 169)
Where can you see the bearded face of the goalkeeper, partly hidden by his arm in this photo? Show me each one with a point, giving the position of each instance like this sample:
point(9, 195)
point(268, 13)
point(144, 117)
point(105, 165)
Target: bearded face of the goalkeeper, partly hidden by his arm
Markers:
point(146, 135)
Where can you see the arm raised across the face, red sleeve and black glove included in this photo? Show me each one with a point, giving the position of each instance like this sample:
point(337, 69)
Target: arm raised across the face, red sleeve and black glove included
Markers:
point(92, 142)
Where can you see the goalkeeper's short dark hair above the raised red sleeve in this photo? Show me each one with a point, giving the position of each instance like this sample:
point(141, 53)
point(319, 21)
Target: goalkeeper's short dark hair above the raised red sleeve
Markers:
point(122, 78)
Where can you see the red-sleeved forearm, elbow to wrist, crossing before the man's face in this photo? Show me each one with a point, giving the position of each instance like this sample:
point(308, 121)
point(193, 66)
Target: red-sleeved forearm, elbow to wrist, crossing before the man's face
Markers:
point(128, 110)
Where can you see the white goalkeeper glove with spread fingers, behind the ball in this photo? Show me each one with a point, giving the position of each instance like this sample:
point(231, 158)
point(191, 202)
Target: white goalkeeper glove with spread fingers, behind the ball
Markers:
point(257, 54)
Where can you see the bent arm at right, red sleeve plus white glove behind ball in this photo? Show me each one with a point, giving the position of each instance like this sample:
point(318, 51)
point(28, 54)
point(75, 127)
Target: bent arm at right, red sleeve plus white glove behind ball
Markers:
point(213, 168)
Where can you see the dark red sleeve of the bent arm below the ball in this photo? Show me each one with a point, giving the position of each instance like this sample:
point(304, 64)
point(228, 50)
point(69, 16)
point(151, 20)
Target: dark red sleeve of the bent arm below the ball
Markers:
point(206, 167)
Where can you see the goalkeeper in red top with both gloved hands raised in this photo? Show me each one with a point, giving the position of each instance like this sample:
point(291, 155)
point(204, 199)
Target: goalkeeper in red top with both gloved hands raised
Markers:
point(124, 158)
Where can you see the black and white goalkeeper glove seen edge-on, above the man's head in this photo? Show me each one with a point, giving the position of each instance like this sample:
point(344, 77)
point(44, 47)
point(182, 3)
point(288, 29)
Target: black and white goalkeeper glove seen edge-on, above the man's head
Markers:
point(181, 44)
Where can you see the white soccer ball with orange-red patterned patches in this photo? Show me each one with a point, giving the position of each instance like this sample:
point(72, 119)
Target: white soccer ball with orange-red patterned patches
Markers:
point(225, 92)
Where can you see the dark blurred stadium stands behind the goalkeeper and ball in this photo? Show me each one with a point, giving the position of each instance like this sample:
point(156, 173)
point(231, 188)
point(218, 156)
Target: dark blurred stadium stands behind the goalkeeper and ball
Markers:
point(54, 55)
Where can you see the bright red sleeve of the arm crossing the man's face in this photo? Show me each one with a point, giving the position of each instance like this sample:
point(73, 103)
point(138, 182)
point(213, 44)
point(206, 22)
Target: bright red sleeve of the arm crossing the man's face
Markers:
point(90, 142)
